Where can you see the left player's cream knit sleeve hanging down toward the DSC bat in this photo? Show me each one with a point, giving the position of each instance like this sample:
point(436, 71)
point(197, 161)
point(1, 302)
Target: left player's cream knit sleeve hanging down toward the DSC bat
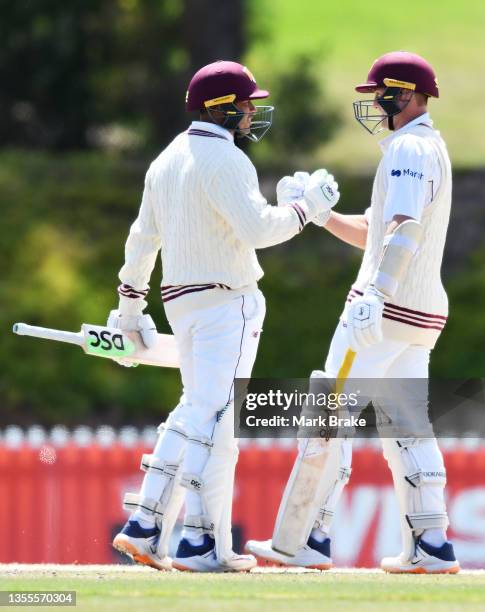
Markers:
point(141, 249)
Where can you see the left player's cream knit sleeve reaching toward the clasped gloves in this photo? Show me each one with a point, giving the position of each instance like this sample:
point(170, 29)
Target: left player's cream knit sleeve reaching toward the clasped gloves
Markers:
point(234, 193)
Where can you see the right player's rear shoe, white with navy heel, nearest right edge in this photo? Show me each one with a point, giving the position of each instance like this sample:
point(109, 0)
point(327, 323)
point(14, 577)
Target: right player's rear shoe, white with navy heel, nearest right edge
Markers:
point(427, 560)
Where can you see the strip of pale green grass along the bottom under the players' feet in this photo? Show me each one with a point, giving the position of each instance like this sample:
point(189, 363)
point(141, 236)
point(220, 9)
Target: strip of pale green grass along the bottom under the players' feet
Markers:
point(141, 589)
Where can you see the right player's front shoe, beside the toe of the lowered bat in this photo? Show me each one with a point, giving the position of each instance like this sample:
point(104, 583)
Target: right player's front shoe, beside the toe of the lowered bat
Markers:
point(314, 555)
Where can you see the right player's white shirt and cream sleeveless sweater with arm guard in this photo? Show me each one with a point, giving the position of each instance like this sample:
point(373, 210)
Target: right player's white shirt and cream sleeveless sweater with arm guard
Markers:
point(413, 179)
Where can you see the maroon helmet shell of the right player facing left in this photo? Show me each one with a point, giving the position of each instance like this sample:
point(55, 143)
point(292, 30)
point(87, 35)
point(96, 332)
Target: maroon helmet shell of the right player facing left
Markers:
point(401, 69)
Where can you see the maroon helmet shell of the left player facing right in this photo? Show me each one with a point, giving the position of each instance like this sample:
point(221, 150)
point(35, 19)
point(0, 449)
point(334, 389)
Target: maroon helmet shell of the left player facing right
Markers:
point(222, 82)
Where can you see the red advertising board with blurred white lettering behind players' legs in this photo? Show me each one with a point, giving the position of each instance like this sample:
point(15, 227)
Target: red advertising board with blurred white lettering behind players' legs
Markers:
point(63, 505)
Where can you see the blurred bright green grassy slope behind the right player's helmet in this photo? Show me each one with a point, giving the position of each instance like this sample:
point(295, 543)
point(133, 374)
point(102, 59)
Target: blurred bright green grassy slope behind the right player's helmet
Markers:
point(349, 34)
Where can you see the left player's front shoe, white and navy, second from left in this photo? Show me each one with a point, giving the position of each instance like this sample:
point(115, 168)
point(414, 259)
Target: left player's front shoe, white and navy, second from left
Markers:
point(202, 558)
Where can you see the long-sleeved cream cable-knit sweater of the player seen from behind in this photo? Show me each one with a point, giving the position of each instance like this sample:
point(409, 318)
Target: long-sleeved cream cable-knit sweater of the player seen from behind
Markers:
point(203, 209)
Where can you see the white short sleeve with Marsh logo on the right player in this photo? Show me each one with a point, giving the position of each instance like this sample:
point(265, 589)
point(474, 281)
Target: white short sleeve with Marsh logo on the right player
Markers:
point(410, 177)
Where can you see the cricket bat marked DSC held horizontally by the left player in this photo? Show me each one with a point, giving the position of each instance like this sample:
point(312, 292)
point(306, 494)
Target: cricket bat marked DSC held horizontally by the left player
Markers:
point(111, 343)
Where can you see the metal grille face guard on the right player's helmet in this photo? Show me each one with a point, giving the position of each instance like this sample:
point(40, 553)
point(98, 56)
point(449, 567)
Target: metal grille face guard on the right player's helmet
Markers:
point(371, 118)
